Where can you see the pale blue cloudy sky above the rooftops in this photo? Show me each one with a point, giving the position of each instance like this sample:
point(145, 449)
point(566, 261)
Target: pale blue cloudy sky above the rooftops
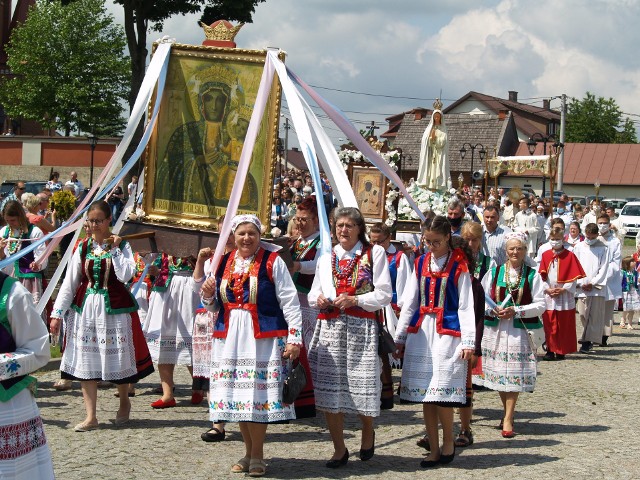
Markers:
point(416, 48)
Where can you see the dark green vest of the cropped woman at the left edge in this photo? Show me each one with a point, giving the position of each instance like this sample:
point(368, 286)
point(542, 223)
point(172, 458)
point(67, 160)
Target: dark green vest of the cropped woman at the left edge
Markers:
point(10, 387)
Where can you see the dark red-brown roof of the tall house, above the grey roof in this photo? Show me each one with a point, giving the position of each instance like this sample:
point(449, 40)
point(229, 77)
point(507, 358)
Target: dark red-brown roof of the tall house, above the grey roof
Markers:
point(524, 114)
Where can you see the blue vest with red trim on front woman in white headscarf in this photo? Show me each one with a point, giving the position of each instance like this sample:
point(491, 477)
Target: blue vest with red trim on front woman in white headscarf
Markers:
point(259, 297)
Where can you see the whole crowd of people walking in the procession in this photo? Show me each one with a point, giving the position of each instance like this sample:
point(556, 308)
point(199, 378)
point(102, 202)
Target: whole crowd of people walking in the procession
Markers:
point(460, 310)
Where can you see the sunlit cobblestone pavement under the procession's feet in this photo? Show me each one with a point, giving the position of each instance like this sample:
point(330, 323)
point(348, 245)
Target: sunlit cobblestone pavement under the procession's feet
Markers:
point(579, 423)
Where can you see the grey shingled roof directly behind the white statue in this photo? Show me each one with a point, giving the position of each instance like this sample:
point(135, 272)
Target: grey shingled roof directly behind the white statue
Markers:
point(488, 130)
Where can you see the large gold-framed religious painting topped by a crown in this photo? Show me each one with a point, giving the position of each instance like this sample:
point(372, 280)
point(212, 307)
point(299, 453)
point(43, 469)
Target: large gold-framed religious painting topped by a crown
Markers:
point(192, 156)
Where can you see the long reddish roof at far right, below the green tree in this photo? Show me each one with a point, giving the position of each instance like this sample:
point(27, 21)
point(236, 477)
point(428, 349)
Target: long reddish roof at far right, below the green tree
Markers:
point(608, 163)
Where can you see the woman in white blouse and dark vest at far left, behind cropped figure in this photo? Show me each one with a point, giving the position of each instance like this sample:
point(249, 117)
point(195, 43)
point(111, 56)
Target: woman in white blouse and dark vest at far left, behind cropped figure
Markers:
point(17, 234)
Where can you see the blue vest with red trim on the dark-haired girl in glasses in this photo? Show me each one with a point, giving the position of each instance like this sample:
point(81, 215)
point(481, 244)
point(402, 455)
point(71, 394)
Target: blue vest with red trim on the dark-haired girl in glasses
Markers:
point(438, 293)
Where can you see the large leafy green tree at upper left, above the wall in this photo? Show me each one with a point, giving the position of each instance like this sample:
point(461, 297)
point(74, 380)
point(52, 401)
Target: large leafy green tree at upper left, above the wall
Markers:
point(71, 70)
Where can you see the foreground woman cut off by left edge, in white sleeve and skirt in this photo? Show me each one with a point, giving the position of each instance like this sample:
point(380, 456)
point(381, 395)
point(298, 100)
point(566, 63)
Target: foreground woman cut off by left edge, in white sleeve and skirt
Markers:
point(24, 342)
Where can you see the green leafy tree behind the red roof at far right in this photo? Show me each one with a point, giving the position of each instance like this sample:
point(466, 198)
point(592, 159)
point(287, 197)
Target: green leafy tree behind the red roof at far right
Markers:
point(598, 120)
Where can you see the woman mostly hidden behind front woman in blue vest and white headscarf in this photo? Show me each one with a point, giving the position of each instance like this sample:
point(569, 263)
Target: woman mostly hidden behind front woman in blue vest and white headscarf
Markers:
point(203, 326)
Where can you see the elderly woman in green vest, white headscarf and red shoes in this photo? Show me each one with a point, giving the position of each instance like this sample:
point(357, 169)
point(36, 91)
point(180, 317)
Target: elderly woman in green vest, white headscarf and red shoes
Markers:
point(509, 362)
